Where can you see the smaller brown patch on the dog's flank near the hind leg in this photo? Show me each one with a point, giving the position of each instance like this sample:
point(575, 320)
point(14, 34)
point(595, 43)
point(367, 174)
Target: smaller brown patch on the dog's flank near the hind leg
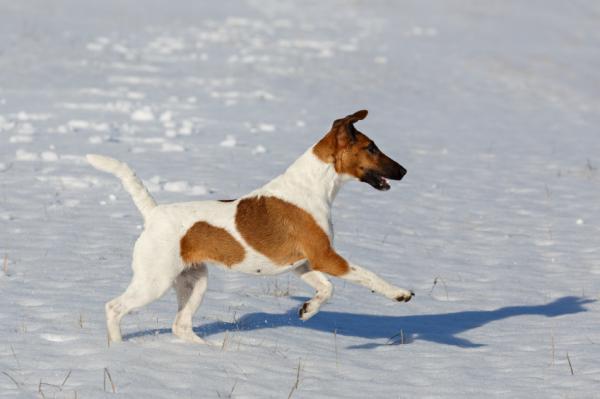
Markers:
point(205, 242)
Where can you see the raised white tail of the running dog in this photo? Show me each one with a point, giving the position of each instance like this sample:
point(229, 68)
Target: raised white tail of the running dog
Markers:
point(134, 186)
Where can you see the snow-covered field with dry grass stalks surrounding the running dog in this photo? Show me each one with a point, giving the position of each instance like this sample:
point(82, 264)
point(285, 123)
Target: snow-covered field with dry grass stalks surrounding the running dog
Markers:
point(492, 106)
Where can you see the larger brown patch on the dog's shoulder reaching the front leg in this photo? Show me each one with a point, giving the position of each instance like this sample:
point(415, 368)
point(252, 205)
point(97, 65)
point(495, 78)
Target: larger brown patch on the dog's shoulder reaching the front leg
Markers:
point(286, 234)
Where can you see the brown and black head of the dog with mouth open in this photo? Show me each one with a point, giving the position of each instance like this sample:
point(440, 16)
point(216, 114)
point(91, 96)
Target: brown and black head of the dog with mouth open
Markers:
point(354, 154)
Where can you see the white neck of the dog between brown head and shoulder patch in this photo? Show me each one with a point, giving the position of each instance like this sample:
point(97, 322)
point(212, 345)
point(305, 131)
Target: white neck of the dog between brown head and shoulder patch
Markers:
point(309, 176)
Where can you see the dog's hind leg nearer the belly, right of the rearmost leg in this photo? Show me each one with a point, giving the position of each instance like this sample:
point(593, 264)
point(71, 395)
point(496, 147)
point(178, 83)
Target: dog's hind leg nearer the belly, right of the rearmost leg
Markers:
point(190, 286)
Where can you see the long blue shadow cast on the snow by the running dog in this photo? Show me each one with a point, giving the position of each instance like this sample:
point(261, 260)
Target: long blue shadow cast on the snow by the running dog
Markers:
point(386, 330)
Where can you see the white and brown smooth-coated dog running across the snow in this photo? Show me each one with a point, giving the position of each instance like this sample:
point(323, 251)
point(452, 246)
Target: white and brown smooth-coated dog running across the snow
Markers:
point(284, 225)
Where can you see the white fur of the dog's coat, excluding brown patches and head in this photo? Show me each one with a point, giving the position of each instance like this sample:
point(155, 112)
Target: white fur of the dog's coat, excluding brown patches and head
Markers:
point(308, 183)
